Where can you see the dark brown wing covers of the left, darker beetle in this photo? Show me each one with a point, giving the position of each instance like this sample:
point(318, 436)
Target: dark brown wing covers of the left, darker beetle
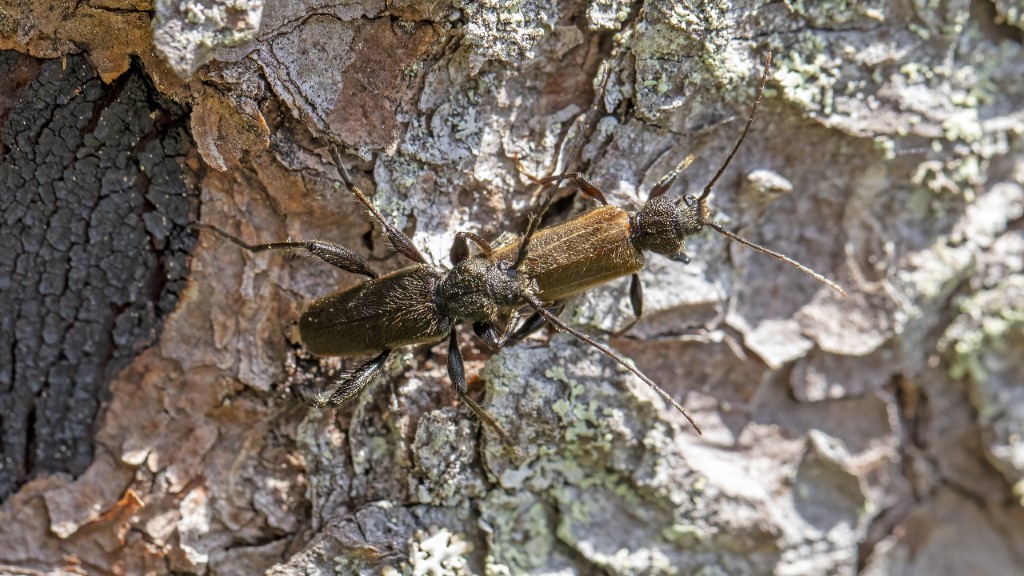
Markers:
point(386, 313)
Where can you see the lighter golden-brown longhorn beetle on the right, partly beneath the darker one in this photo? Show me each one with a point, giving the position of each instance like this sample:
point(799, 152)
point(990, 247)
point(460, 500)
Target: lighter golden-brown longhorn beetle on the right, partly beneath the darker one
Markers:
point(607, 243)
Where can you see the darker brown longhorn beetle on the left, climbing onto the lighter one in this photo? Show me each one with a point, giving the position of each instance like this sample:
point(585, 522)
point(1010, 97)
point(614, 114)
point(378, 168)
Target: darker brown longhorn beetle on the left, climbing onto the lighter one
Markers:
point(413, 306)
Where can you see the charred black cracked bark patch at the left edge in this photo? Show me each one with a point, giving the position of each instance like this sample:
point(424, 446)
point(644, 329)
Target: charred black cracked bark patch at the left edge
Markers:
point(94, 250)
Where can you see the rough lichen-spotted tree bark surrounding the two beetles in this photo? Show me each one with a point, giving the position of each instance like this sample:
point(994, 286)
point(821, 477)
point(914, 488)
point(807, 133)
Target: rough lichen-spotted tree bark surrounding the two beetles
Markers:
point(877, 434)
